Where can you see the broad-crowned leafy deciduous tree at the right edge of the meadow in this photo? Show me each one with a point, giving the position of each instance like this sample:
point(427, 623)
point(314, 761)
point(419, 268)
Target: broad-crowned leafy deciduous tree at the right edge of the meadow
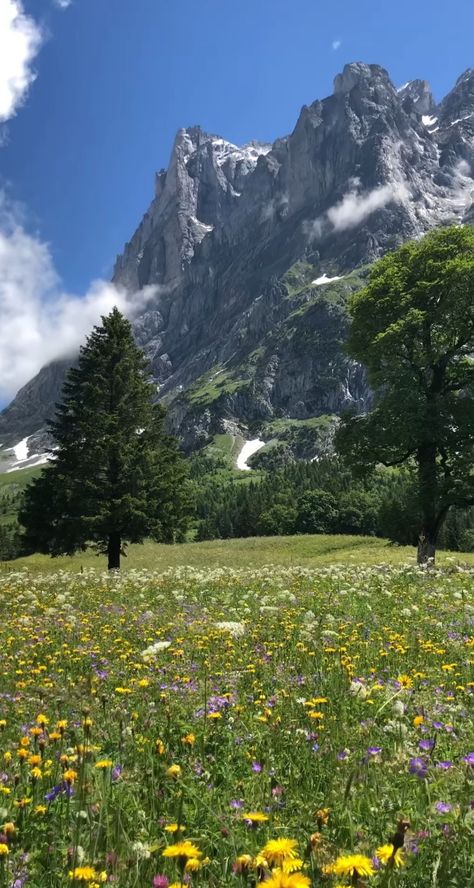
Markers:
point(413, 329)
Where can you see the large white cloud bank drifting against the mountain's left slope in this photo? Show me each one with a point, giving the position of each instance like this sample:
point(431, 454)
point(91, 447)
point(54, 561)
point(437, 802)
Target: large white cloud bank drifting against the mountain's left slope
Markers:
point(40, 322)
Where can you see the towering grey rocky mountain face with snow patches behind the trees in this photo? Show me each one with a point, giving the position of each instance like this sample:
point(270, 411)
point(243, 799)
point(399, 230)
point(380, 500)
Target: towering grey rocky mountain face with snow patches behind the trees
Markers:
point(237, 240)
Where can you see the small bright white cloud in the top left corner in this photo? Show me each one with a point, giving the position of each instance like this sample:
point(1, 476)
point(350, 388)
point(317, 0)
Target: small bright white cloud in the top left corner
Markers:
point(20, 40)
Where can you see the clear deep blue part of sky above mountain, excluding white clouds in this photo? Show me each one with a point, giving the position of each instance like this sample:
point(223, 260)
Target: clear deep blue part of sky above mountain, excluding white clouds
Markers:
point(117, 78)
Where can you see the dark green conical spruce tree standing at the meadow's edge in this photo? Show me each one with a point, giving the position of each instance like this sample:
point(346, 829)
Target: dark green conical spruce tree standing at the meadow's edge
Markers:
point(116, 476)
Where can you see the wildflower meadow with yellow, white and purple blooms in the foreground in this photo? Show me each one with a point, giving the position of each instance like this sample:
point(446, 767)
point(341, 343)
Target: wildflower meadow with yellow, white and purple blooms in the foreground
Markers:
point(295, 727)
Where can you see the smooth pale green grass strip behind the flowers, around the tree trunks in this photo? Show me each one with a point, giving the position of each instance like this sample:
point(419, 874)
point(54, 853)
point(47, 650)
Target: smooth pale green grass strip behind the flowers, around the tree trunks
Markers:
point(305, 550)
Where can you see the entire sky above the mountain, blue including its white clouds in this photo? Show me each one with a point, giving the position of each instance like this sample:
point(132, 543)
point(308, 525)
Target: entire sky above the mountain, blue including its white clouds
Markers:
point(92, 93)
